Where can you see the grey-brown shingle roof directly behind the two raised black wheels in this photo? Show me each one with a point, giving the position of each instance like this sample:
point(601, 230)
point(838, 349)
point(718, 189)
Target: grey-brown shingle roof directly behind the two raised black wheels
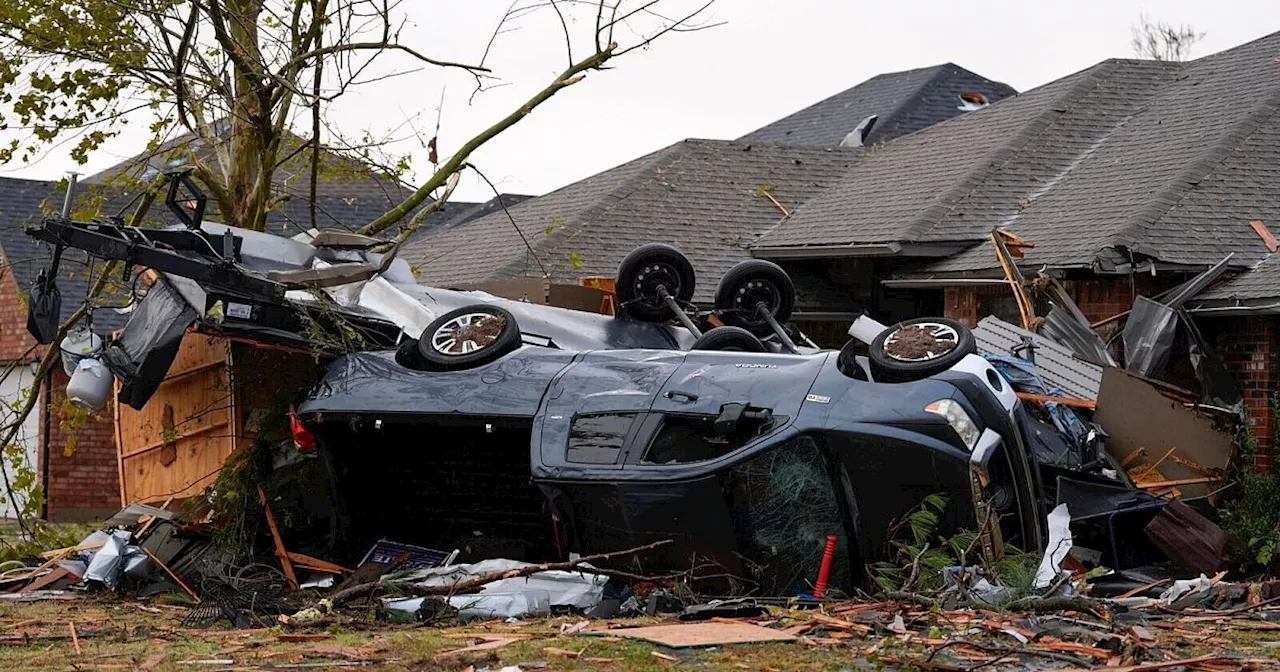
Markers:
point(706, 198)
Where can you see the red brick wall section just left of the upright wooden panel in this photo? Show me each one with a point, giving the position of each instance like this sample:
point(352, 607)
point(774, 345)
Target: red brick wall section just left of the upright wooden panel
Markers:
point(84, 476)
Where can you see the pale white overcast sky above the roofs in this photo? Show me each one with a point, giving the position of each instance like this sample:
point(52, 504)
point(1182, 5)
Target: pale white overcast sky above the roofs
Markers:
point(769, 60)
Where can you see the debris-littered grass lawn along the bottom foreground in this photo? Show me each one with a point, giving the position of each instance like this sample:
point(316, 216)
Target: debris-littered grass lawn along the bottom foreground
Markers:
point(116, 633)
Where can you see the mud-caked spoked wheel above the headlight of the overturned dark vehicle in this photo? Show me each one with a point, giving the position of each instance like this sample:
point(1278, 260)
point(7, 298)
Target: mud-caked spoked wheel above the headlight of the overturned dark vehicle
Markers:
point(918, 349)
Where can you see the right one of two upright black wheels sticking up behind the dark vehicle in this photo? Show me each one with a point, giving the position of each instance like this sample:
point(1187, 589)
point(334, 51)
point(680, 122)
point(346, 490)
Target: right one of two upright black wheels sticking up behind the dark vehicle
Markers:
point(749, 284)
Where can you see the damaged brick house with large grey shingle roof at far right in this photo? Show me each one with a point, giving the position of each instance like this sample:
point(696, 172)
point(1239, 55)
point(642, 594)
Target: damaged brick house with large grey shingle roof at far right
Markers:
point(1128, 177)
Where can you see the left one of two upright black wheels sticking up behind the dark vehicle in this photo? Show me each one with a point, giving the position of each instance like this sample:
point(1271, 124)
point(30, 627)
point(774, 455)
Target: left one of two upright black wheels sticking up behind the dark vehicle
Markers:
point(643, 272)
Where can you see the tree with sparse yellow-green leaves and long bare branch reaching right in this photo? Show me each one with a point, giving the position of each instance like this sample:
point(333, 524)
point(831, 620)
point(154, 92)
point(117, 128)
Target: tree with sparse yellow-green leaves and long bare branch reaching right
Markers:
point(253, 79)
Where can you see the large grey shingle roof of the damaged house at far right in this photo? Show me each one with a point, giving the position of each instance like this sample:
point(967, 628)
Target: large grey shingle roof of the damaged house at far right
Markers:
point(1159, 161)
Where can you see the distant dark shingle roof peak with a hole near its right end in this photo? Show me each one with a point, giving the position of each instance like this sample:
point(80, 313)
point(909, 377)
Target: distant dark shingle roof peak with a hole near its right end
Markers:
point(904, 103)
